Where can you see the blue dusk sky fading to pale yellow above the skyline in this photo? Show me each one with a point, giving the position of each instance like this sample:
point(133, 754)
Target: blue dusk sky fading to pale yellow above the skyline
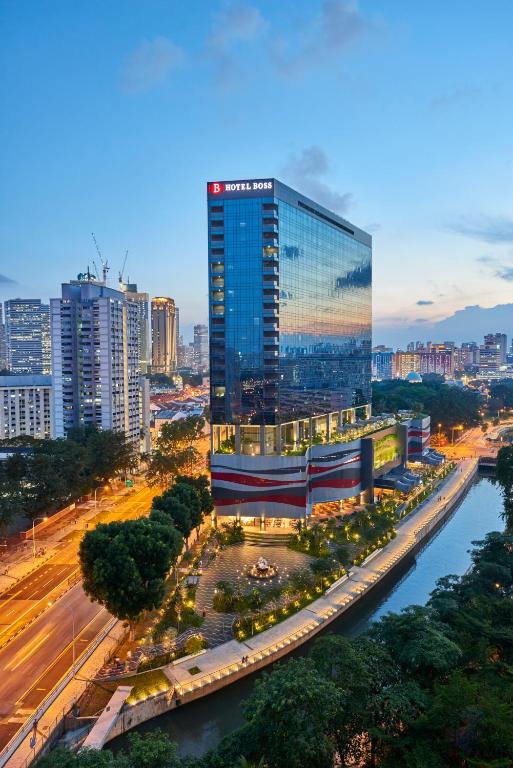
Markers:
point(396, 114)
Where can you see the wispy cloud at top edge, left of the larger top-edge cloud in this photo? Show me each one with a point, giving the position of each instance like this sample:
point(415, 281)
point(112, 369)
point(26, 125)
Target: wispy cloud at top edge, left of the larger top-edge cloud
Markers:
point(237, 22)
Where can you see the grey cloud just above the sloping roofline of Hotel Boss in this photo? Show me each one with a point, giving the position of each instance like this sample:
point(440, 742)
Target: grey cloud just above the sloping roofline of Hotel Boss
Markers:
point(305, 170)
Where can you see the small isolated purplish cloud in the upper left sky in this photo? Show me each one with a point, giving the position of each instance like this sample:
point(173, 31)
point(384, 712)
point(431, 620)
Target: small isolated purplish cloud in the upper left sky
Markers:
point(150, 65)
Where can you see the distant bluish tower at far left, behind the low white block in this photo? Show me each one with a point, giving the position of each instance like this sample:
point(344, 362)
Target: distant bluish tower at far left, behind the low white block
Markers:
point(27, 336)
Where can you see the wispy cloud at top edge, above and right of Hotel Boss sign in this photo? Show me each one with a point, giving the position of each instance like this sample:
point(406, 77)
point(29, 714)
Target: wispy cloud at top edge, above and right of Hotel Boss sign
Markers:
point(324, 35)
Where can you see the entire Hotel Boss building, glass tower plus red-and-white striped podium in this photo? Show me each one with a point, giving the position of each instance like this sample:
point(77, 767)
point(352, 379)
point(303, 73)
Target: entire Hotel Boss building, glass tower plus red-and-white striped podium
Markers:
point(290, 356)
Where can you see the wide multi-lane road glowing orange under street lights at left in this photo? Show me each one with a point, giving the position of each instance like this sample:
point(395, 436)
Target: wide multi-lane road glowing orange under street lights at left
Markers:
point(33, 661)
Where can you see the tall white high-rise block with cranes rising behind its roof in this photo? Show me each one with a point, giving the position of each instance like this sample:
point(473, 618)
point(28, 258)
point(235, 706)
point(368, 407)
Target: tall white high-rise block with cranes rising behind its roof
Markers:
point(95, 359)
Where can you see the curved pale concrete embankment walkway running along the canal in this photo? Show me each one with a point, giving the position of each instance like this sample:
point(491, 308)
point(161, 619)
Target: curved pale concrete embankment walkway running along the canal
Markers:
point(194, 678)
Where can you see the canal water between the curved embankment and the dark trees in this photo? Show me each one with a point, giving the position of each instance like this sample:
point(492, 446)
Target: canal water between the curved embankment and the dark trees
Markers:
point(199, 726)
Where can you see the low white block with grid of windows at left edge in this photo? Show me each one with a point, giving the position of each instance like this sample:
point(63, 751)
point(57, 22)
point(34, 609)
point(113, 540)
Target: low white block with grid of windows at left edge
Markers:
point(26, 406)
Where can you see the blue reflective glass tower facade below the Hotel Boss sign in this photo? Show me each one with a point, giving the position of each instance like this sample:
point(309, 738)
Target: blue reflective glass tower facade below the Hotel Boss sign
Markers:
point(290, 310)
